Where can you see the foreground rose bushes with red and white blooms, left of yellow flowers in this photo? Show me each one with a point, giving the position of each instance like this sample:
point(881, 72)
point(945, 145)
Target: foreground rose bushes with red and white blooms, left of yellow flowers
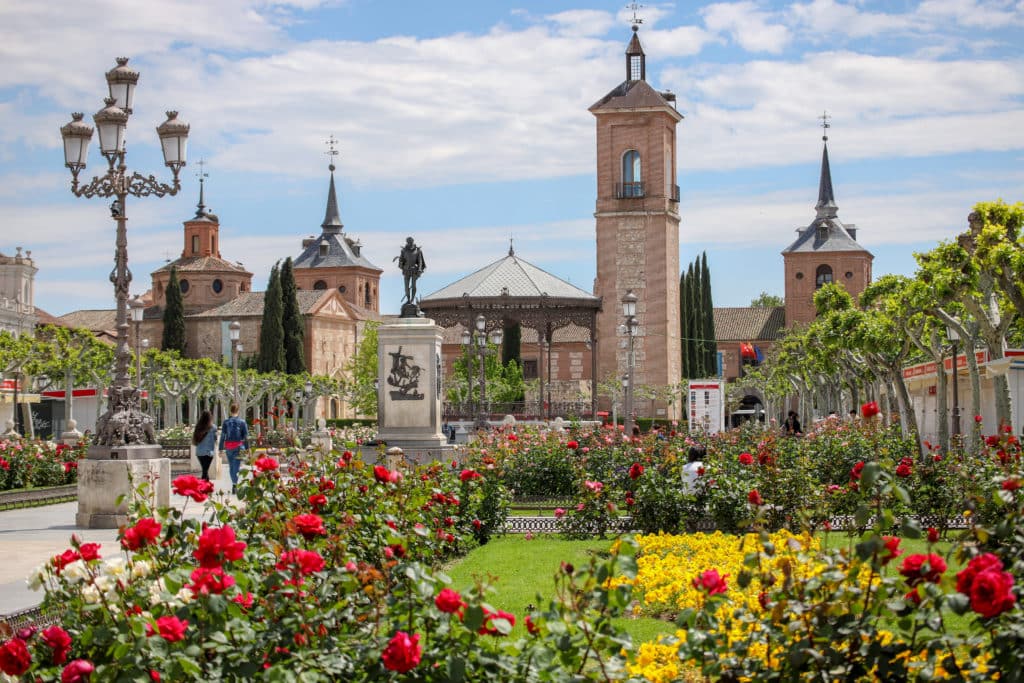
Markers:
point(328, 572)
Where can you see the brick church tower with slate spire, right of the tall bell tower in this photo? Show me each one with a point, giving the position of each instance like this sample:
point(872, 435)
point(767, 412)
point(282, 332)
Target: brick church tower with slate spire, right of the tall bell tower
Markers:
point(827, 251)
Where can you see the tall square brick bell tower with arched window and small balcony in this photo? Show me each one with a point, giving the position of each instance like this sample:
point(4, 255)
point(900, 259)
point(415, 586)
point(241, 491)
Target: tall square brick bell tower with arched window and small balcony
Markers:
point(637, 221)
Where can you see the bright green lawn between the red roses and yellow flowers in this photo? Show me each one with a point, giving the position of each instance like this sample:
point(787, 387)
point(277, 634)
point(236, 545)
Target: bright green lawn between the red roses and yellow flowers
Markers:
point(522, 571)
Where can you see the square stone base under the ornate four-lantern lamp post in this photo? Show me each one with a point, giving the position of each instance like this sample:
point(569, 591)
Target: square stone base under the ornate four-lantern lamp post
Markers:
point(101, 483)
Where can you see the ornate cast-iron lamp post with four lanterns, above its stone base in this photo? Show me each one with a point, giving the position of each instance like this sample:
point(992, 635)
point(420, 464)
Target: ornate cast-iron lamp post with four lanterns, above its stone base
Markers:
point(123, 423)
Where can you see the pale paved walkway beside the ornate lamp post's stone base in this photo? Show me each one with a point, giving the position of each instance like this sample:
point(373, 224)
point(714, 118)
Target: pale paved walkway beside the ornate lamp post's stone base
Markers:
point(30, 537)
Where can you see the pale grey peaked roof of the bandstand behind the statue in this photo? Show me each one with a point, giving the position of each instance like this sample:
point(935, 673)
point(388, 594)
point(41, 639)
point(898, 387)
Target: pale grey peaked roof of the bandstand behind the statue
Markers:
point(514, 277)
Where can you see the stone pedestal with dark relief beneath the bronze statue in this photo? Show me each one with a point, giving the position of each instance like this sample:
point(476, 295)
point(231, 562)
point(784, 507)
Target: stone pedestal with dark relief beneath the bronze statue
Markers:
point(409, 399)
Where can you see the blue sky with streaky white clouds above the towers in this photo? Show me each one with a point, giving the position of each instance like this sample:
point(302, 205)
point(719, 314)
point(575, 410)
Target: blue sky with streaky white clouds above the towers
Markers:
point(465, 124)
